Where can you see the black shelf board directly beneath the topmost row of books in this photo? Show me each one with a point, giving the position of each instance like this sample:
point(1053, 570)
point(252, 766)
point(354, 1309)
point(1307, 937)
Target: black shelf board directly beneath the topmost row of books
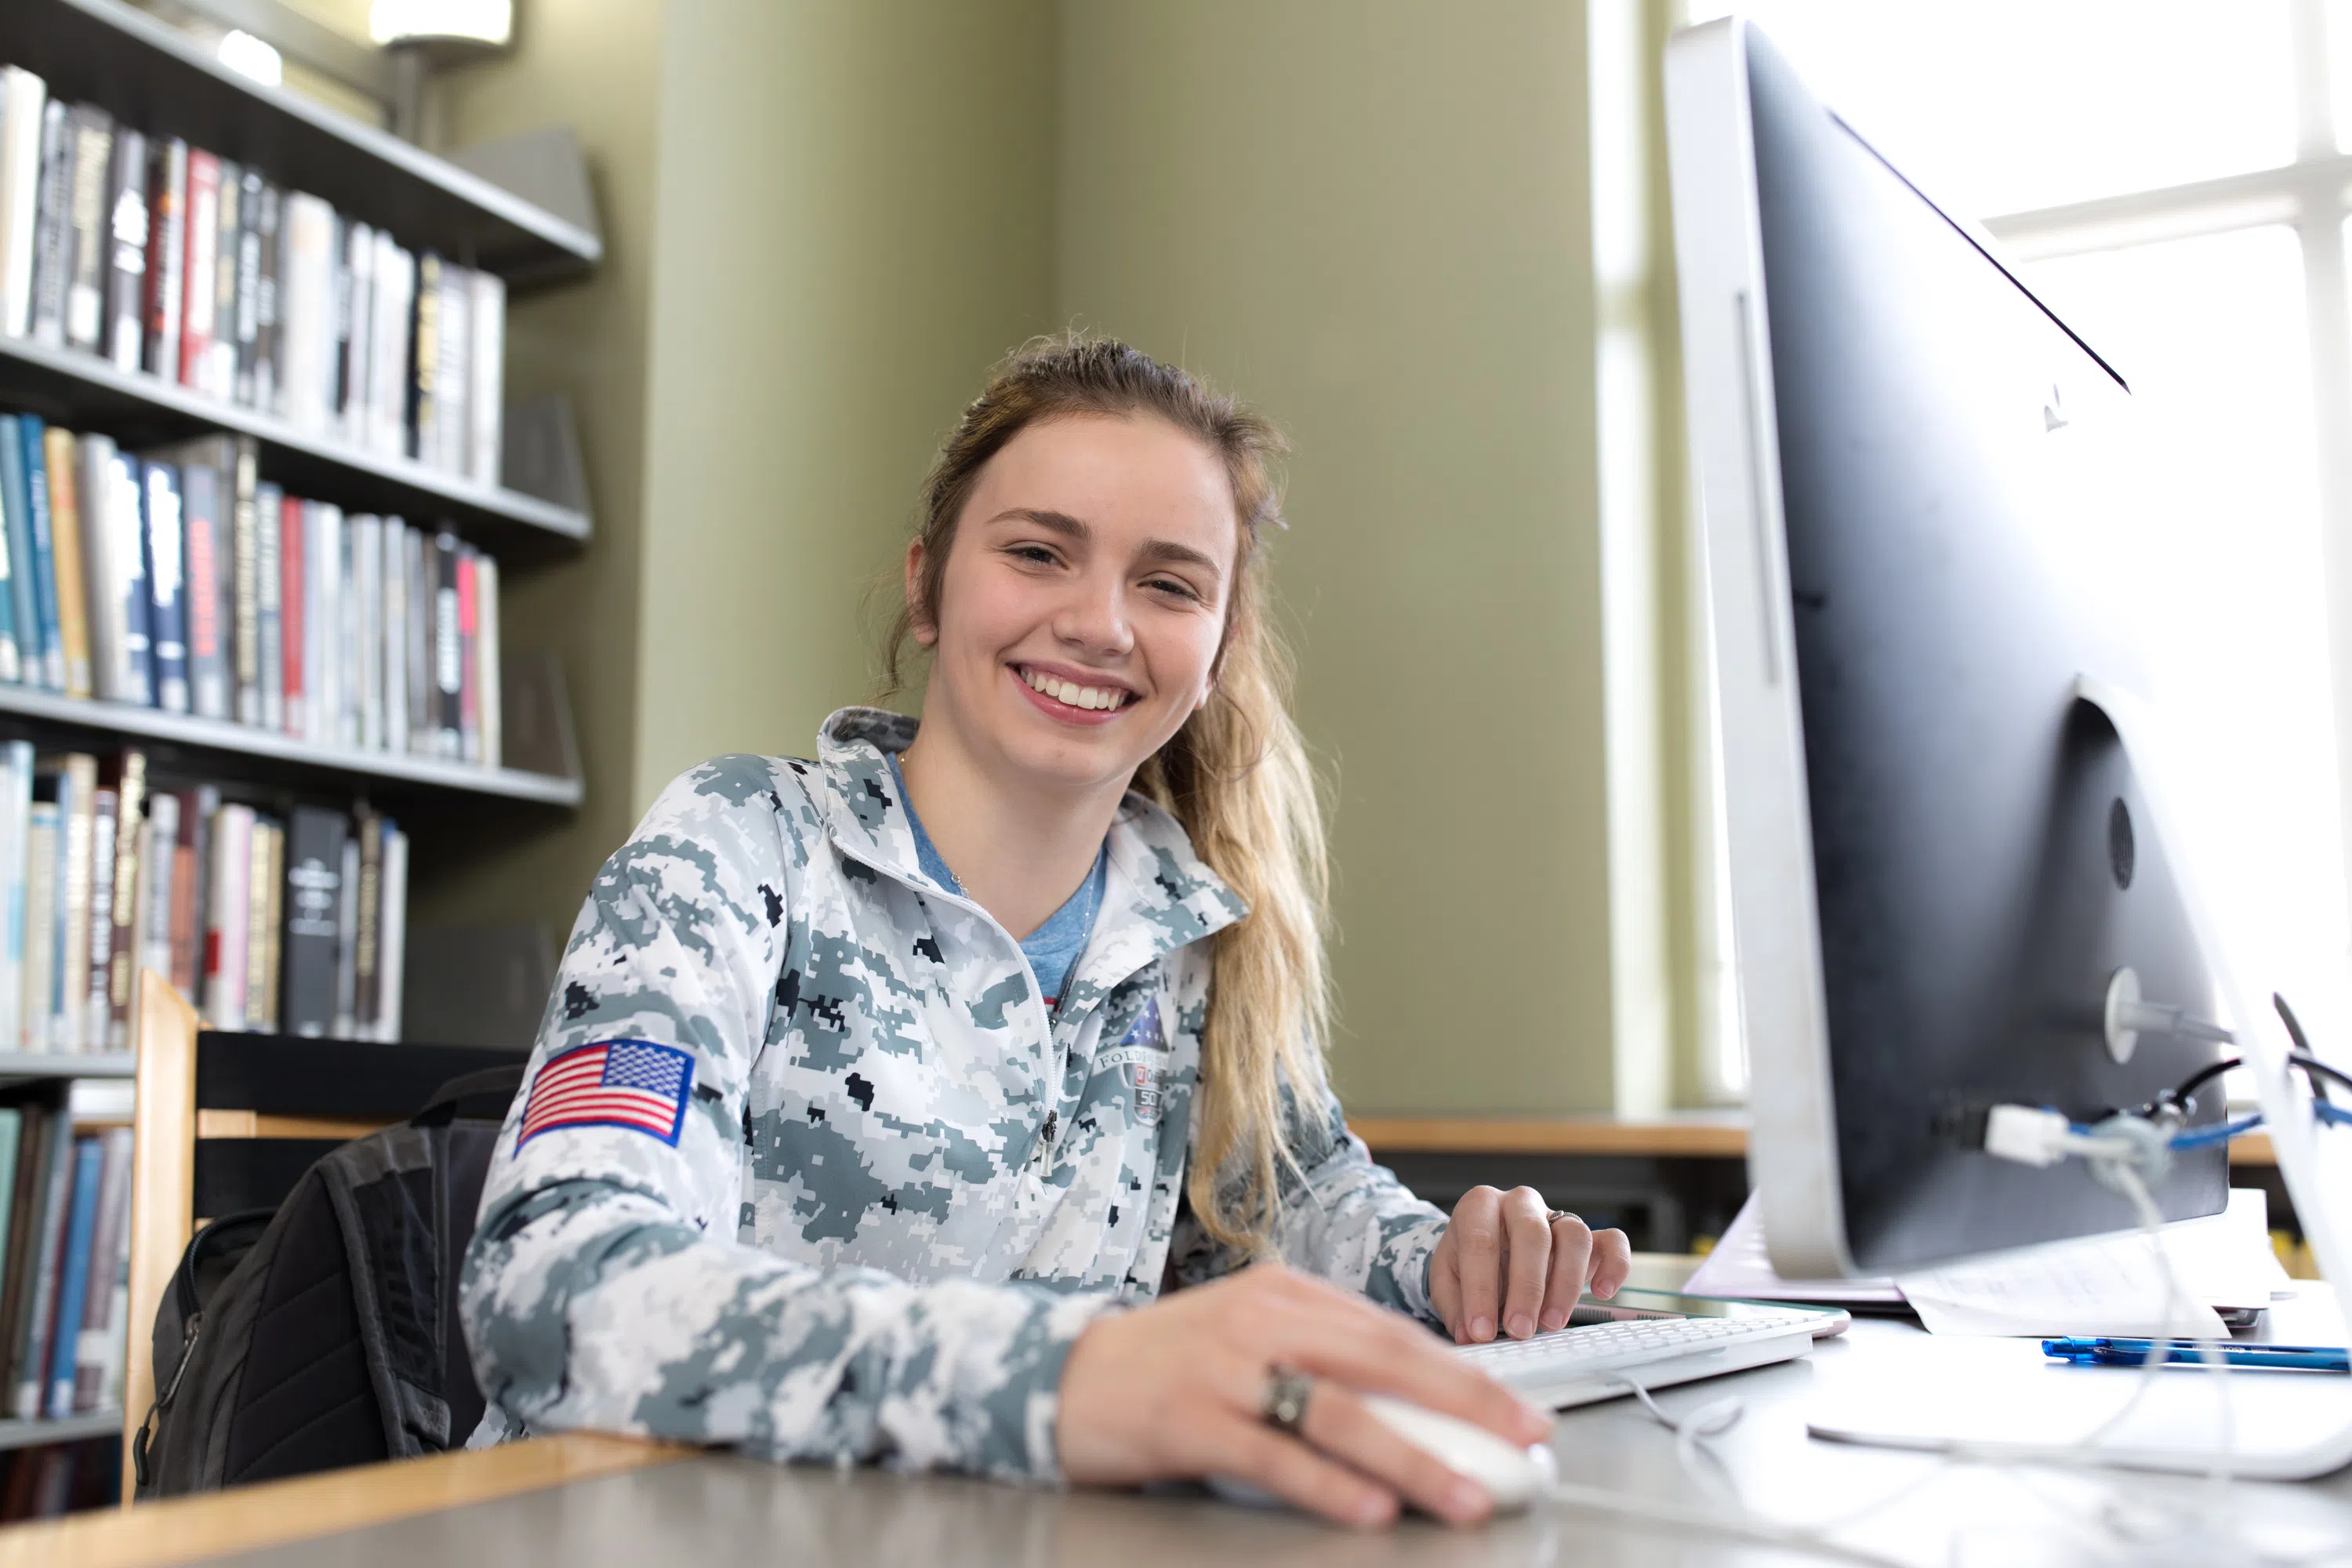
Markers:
point(88, 394)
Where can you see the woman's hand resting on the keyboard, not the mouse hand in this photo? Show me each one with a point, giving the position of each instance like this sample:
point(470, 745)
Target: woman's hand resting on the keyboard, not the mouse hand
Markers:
point(1511, 1261)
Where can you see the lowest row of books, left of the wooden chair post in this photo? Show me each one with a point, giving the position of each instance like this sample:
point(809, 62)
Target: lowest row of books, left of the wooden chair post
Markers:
point(65, 1264)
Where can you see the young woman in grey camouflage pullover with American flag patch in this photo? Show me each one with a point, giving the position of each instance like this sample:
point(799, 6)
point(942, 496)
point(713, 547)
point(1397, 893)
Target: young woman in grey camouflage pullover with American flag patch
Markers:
point(956, 1099)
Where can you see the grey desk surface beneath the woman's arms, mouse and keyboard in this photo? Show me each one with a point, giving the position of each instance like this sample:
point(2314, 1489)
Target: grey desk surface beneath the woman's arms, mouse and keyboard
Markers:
point(723, 1508)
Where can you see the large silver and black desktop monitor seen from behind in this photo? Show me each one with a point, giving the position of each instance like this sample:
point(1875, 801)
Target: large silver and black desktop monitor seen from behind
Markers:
point(1946, 878)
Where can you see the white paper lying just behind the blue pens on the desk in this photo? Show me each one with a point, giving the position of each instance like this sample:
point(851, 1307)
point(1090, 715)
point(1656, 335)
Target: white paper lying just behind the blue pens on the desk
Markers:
point(2109, 1285)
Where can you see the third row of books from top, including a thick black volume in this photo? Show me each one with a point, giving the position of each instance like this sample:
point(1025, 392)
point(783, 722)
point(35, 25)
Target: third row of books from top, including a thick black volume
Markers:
point(283, 923)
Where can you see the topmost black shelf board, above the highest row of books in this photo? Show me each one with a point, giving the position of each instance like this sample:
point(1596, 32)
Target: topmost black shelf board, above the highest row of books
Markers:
point(166, 86)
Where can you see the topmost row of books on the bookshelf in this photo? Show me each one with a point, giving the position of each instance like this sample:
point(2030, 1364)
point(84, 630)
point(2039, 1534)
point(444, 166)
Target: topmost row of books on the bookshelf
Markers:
point(187, 267)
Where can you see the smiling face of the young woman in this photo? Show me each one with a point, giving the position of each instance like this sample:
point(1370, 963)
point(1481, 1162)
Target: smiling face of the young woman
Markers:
point(1083, 601)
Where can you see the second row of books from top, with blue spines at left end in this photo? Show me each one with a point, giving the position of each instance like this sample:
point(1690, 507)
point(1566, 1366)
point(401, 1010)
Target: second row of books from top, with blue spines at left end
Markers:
point(180, 579)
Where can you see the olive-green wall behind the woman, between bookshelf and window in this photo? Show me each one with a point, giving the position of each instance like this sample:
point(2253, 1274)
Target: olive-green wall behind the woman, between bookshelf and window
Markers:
point(1372, 217)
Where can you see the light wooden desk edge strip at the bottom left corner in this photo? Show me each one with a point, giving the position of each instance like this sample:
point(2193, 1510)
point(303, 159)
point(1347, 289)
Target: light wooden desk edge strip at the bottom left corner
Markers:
point(305, 1508)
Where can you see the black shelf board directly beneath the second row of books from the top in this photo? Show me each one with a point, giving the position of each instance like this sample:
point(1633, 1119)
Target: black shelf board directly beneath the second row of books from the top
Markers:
point(44, 713)
